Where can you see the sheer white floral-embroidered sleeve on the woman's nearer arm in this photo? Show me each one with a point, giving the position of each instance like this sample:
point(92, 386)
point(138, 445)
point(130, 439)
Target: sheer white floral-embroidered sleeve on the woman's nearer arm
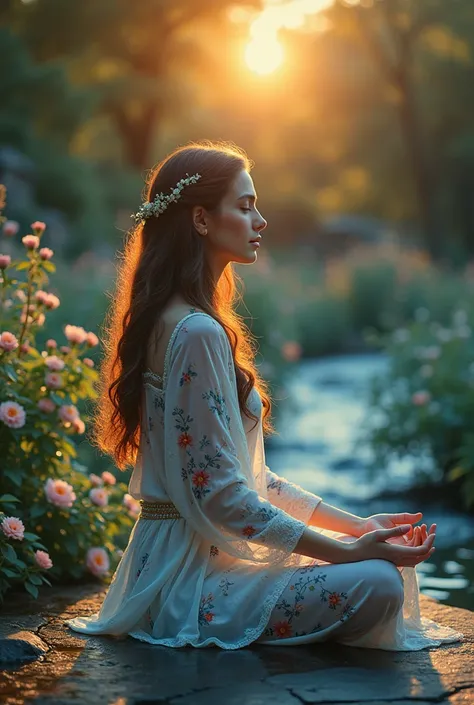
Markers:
point(208, 471)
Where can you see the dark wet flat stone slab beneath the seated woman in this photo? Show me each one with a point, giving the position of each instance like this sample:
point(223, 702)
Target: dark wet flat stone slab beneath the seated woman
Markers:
point(55, 666)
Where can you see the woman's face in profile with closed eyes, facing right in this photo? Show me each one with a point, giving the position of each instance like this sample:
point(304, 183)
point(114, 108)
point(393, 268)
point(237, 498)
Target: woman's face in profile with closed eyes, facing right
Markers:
point(237, 221)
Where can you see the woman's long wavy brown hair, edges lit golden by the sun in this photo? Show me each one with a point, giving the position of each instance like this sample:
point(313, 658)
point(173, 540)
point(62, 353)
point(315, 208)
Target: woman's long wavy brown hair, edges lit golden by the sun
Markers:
point(162, 257)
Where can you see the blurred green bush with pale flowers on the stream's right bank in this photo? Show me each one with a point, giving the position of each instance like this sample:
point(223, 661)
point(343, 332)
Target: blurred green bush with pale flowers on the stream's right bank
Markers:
point(423, 405)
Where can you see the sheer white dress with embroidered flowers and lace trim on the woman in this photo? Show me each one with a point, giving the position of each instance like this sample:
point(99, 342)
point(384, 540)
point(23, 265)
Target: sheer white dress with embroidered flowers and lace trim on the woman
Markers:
point(215, 575)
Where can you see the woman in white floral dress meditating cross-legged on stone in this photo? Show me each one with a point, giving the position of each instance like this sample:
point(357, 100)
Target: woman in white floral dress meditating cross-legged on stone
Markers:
point(223, 552)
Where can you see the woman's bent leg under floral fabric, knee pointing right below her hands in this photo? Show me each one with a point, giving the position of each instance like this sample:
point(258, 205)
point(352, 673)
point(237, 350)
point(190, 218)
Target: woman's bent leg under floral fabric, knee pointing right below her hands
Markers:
point(336, 601)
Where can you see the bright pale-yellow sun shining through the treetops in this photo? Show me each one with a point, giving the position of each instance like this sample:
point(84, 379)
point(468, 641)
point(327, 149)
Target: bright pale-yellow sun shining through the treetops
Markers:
point(264, 53)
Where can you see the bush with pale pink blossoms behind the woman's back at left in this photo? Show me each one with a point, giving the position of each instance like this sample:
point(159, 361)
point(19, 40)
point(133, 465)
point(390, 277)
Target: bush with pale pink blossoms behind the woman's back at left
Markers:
point(57, 521)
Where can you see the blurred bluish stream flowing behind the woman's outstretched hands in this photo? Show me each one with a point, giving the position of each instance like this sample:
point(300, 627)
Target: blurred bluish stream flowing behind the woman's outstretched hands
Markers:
point(315, 447)
